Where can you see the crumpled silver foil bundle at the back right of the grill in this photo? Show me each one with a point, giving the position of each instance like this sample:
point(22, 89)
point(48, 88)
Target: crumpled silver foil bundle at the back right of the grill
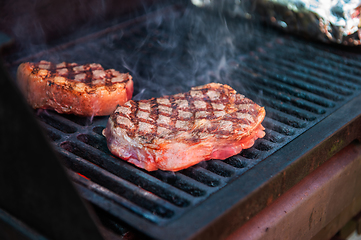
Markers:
point(335, 21)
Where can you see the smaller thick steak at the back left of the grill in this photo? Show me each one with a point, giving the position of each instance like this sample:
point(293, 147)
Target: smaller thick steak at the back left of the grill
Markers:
point(85, 90)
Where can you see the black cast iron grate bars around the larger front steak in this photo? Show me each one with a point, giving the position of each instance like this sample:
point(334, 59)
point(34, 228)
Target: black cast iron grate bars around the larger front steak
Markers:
point(294, 102)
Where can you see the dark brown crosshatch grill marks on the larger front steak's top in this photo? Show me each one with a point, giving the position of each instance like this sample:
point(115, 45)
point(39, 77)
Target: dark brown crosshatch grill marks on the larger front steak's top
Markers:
point(212, 128)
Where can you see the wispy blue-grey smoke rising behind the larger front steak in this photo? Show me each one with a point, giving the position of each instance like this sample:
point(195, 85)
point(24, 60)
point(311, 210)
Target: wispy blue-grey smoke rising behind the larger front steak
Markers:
point(179, 50)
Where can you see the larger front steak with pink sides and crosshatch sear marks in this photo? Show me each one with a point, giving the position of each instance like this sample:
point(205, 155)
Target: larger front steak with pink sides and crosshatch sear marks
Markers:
point(175, 132)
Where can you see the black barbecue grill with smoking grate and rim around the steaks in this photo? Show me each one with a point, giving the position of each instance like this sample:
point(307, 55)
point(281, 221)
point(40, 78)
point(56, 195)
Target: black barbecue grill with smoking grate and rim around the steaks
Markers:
point(311, 92)
